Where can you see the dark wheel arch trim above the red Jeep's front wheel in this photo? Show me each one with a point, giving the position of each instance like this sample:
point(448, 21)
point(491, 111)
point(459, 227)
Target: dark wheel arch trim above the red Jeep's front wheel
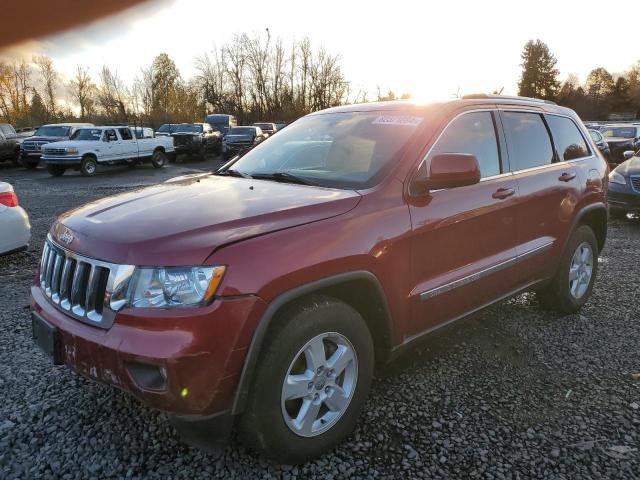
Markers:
point(366, 296)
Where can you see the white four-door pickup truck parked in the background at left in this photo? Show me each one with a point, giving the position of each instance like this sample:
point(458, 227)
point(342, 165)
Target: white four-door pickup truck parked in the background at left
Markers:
point(90, 146)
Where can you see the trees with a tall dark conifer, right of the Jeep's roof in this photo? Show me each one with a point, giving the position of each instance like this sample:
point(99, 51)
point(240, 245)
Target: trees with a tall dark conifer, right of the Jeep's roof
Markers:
point(602, 96)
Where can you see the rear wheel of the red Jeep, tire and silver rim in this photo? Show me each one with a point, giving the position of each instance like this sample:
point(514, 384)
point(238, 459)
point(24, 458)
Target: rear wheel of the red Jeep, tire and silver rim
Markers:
point(580, 258)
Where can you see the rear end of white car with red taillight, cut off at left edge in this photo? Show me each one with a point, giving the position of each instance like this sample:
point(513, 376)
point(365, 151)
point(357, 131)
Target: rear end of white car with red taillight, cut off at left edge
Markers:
point(15, 229)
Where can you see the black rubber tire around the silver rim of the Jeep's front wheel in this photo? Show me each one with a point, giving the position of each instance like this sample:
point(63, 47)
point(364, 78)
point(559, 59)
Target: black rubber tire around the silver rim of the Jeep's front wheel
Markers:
point(278, 439)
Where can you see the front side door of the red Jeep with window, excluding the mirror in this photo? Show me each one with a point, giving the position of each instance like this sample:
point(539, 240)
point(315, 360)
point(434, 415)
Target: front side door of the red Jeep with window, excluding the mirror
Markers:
point(463, 238)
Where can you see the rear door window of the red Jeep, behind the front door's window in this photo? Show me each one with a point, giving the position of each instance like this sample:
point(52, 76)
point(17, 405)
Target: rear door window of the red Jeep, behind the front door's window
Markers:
point(529, 142)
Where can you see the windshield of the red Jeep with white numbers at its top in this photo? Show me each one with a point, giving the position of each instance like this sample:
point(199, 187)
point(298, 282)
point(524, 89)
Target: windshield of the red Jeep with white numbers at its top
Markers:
point(343, 150)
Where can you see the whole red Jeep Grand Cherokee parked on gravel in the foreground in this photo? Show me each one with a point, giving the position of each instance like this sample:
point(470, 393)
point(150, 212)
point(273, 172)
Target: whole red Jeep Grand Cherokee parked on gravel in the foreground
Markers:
point(261, 295)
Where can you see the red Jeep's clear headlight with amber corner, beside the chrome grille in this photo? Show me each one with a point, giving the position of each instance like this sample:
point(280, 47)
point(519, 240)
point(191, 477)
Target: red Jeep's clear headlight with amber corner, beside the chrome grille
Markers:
point(168, 287)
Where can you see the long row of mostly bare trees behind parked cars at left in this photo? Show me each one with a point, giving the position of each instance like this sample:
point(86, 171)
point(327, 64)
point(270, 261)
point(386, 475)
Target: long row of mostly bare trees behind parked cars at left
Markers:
point(253, 77)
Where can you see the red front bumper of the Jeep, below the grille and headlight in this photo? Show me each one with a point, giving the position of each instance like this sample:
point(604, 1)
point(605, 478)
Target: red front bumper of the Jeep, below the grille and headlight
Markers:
point(200, 352)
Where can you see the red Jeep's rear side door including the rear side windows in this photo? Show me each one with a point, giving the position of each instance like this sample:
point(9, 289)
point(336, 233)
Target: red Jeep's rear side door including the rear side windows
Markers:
point(548, 186)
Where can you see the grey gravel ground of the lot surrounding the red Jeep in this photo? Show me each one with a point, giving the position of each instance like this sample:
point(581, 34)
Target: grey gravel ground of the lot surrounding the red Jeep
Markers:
point(512, 393)
